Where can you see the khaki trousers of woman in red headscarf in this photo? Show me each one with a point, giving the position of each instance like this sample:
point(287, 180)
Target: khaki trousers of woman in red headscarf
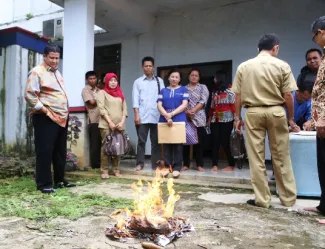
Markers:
point(104, 158)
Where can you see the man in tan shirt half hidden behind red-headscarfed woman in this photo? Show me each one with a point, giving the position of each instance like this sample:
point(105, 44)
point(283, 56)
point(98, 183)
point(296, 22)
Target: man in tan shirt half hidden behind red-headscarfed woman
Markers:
point(89, 96)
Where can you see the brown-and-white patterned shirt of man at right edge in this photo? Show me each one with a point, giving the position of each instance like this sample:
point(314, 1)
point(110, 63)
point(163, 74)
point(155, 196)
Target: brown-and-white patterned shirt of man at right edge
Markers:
point(318, 96)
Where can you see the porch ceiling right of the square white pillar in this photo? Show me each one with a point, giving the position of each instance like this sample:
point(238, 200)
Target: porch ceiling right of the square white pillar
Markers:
point(131, 17)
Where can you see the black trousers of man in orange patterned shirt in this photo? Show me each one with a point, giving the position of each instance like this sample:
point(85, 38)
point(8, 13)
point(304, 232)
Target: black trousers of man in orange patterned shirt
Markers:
point(50, 148)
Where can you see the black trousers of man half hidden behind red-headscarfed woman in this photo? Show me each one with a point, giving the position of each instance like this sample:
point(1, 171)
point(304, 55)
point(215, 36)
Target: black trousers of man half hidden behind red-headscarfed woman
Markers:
point(94, 145)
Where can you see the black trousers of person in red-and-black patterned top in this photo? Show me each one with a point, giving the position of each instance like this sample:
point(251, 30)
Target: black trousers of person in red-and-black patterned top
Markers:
point(221, 137)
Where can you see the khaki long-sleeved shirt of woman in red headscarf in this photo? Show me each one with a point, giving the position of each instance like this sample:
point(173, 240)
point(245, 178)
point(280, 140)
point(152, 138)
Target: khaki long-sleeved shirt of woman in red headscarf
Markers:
point(111, 106)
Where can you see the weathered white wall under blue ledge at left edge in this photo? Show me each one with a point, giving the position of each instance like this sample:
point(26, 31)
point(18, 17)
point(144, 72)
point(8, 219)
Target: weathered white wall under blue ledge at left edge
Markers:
point(14, 65)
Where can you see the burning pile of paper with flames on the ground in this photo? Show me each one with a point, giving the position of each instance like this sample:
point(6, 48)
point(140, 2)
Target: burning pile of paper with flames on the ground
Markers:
point(151, 219)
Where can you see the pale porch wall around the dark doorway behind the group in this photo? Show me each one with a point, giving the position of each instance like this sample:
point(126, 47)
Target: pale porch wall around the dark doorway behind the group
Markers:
point(228, 33)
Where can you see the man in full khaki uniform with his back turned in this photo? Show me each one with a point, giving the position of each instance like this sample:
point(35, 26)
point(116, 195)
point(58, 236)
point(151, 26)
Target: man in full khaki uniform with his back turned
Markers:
point(263, 85)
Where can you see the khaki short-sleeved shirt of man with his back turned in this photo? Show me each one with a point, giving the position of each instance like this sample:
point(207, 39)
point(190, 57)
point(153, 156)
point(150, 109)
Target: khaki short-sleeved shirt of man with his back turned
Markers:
point(261, 81)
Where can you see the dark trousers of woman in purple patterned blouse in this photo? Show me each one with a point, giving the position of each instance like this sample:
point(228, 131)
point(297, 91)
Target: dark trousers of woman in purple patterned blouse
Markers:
point(198, 149)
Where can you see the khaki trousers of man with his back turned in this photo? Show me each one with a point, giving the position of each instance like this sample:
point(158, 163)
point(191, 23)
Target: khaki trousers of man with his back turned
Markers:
point(272, 120)
